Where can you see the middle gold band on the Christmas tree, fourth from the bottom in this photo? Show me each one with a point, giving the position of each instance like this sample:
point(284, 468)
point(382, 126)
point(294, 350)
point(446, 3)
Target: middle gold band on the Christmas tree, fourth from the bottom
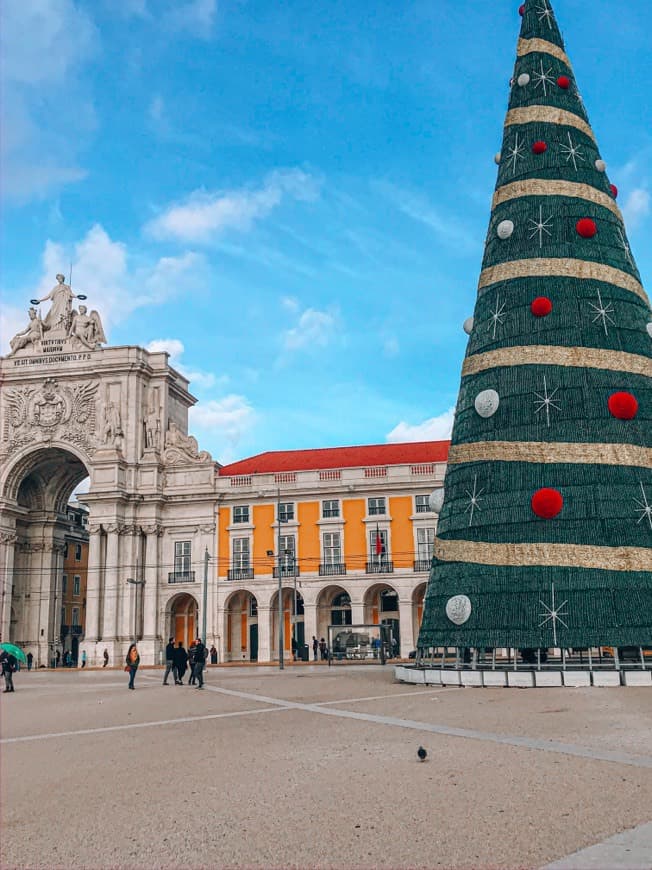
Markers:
point(561, 267)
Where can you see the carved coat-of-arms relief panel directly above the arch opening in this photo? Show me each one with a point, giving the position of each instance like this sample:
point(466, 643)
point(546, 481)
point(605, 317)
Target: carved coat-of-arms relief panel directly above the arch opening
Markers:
point(62, 411)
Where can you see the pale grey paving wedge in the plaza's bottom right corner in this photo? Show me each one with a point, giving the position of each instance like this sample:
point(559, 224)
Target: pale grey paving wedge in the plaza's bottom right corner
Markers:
point(629, 850)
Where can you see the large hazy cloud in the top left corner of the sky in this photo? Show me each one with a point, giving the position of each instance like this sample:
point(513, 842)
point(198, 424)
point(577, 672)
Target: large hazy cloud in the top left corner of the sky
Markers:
point(41, 79)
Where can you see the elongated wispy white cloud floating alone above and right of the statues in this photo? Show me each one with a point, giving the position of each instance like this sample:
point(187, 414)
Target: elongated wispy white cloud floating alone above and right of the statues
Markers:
point(204, 216)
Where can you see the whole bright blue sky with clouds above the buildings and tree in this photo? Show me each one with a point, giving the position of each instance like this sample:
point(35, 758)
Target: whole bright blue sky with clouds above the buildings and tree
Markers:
point(291, 197)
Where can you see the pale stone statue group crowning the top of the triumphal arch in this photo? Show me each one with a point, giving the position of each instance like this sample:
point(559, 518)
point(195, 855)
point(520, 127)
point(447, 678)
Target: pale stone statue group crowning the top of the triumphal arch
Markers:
point(62, 325)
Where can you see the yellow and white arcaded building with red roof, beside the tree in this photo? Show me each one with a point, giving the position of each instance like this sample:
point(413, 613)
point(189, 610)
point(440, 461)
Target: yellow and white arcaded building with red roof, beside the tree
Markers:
point(351, 531)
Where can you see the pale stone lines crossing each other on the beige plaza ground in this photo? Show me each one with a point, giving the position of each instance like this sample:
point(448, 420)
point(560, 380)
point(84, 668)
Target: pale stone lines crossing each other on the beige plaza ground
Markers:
point(271, 703)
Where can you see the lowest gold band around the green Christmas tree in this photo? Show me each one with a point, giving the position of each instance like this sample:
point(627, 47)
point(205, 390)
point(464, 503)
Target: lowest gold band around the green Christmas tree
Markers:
point(558, 555)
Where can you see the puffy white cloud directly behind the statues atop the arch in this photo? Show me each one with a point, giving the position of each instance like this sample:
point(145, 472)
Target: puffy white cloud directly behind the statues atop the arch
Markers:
point(101, 271)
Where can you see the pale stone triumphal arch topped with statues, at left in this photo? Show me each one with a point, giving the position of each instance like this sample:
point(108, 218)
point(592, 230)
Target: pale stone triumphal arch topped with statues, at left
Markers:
point(71, 408)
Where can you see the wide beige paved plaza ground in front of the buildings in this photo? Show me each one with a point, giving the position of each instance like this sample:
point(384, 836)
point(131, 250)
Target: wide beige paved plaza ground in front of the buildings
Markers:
point(318, 767)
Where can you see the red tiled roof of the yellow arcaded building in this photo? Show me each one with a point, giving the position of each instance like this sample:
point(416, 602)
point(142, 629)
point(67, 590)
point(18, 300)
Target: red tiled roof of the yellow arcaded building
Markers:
point(413, 453)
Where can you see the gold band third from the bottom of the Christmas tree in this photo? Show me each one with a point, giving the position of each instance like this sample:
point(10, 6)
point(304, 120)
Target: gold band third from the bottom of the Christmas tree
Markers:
point(541, 354)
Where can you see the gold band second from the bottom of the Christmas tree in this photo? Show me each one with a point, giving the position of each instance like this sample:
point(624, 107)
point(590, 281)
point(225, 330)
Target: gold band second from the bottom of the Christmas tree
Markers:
point(551, 452)
